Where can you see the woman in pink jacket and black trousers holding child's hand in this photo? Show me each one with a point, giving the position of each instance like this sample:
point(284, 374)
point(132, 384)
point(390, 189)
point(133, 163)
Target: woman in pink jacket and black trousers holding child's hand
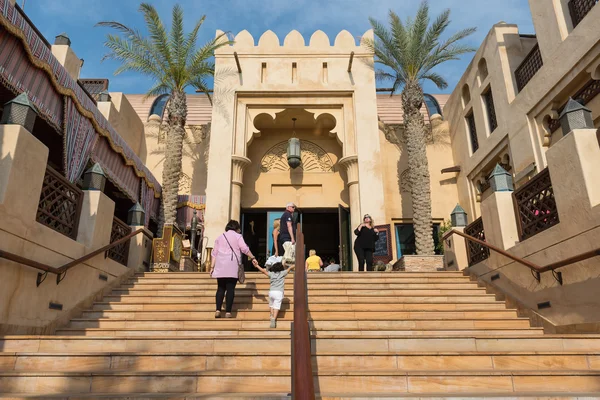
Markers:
point(225, 264)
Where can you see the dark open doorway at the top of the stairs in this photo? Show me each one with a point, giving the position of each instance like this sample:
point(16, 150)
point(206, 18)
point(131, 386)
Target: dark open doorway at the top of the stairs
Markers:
point(322, 228)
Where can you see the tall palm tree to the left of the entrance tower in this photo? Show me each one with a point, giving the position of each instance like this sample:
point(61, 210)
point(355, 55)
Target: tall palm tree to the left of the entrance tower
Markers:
point(174, 62)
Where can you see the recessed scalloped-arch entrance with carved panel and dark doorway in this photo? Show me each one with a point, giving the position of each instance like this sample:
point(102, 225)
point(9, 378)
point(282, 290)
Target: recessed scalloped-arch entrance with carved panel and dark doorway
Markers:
point(318, 186)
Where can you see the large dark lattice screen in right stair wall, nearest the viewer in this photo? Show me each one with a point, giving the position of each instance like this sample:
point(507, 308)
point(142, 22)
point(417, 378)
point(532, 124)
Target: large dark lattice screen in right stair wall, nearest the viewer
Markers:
point(536, 207)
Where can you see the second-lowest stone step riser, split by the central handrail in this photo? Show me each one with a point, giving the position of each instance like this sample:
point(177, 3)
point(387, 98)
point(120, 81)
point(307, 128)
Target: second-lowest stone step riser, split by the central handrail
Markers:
point(138, 362)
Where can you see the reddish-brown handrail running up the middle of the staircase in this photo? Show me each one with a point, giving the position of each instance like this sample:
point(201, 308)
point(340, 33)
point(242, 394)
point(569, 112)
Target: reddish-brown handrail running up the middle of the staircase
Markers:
point(302, 376)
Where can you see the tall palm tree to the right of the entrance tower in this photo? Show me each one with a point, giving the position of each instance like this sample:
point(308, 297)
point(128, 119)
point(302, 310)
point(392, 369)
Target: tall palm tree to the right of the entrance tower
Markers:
point(411, 50)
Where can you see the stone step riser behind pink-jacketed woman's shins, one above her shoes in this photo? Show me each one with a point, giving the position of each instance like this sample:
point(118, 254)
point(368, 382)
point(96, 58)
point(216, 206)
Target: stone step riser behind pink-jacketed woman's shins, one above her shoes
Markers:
point(242, 298)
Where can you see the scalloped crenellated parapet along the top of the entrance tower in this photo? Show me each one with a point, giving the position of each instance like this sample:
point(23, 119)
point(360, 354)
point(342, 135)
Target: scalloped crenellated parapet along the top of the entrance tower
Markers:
point(269, 42)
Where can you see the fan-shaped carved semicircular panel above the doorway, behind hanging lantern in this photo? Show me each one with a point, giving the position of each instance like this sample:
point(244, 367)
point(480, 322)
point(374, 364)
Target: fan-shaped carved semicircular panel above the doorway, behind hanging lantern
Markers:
point(314, 158)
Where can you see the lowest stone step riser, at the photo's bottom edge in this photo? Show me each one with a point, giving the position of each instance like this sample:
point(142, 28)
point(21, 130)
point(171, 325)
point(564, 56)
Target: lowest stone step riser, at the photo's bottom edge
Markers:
point(472, 383)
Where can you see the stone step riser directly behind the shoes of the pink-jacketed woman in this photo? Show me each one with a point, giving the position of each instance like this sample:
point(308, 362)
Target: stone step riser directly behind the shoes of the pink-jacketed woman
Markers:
point(264, 306)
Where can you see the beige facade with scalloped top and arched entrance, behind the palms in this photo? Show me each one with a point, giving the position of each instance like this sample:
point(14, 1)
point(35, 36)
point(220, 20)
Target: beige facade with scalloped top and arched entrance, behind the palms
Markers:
point(322, 91)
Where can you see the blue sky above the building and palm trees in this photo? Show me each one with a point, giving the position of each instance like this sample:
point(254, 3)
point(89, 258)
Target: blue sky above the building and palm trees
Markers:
point(78, 17)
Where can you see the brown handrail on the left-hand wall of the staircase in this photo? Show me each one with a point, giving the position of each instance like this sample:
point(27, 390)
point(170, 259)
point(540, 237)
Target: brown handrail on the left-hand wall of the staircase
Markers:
point(60, 272)
